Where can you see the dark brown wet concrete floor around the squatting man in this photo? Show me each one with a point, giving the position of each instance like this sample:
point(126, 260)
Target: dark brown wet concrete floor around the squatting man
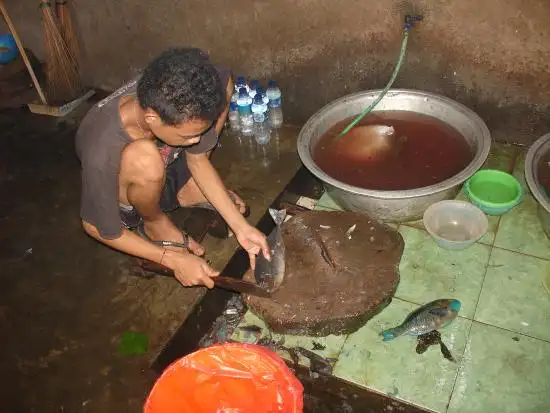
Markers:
point(65, 300)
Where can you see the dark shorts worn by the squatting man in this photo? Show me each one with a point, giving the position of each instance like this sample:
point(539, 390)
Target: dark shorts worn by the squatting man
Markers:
point(177, 175)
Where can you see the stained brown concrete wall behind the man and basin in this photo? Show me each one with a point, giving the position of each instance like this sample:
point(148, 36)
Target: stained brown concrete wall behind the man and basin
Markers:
point(493, 55)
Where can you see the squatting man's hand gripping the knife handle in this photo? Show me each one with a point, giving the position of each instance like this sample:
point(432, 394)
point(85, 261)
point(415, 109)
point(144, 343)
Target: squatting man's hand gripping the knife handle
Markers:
point(189, 269)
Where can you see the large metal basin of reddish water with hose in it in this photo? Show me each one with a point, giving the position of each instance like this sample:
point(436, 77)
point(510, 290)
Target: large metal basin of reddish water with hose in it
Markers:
point(402, 205)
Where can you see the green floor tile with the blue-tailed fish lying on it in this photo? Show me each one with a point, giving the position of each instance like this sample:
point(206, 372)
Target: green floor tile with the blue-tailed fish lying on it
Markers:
point(395, 368)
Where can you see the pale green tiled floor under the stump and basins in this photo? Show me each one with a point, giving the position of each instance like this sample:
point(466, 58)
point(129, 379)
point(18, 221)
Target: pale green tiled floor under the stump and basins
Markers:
point(502, 338)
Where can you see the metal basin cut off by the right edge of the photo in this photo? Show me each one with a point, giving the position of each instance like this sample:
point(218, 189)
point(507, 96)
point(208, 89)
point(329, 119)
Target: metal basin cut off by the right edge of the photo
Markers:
point(535, 153)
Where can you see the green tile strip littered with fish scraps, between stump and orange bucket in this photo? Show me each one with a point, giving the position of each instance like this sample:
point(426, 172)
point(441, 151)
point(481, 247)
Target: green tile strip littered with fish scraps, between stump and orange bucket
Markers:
point(331, 344)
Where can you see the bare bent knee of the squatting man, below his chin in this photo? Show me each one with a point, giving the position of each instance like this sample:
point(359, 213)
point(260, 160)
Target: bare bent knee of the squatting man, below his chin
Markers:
point(142, 163)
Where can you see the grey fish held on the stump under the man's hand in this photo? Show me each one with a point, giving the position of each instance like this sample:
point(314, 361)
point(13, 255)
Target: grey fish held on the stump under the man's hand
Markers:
point(269, 274)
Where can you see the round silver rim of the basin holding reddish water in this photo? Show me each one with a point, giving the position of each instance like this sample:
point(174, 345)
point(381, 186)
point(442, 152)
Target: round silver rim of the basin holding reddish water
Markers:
point(476, 163)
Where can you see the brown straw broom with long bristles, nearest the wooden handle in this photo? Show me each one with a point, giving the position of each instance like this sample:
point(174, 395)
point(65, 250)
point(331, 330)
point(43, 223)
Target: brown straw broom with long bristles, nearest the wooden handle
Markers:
point(62, 77)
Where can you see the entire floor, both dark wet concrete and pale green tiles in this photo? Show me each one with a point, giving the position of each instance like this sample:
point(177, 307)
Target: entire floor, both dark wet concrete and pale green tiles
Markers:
point(65, 301)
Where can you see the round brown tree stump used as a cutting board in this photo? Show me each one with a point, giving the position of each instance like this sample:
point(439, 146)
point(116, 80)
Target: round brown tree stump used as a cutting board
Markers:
point(336, 278)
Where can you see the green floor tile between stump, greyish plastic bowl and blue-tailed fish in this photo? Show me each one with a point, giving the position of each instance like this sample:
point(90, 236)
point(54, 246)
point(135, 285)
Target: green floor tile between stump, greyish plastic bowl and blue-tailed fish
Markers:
point(429, 272)
